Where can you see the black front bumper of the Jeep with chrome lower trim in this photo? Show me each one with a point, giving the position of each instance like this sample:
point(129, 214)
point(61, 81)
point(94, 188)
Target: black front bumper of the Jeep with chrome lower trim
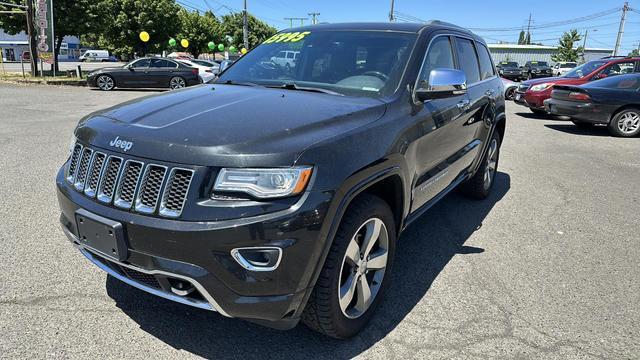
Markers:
point(200, 253)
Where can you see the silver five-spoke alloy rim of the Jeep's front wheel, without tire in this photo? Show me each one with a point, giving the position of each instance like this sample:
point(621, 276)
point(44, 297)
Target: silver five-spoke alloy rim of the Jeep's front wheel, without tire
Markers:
point(363, 268)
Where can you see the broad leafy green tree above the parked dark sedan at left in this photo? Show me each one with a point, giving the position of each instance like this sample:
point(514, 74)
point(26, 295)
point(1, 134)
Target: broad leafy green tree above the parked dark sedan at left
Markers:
point(123, 20)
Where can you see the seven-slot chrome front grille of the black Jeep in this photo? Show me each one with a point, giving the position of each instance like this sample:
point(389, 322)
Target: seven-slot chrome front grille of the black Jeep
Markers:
point(129, 184)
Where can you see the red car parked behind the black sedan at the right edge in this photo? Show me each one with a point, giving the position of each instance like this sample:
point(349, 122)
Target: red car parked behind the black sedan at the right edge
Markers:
point(533, 93)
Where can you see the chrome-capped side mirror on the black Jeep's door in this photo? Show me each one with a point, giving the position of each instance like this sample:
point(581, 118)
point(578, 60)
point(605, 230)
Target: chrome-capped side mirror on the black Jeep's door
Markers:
point(443, 83)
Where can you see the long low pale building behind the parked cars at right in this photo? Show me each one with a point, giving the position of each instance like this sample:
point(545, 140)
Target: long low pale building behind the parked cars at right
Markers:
point(523, 53)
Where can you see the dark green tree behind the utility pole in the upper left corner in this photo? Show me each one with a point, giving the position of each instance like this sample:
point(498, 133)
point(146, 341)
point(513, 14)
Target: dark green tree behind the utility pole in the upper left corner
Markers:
point(70, 17)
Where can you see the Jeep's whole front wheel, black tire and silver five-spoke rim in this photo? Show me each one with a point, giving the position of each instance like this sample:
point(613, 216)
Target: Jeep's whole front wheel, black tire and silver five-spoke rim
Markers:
point(356, 271)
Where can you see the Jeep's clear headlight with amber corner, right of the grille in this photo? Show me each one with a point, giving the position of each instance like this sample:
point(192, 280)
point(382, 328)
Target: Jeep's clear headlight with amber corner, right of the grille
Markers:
point(264, 183)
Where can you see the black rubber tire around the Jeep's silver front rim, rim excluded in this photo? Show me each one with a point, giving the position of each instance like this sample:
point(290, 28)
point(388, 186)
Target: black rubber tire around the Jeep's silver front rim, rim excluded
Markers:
point(323, 312)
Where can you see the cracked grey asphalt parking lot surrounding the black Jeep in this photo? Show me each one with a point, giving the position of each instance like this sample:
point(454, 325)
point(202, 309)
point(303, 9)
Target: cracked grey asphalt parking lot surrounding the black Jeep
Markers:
point(547, 267)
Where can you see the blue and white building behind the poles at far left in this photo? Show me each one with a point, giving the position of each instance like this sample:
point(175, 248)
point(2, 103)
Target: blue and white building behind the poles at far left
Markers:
point(13, 46)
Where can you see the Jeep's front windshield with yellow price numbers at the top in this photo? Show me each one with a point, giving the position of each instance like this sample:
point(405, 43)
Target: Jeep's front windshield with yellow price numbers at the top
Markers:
point(360, 63)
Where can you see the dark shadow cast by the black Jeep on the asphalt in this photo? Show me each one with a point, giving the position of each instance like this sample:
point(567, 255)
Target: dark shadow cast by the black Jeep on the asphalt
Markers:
point(425, 248)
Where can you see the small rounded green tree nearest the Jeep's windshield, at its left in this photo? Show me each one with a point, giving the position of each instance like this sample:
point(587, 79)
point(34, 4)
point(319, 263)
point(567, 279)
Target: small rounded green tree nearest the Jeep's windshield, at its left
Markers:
point(199, 30)
